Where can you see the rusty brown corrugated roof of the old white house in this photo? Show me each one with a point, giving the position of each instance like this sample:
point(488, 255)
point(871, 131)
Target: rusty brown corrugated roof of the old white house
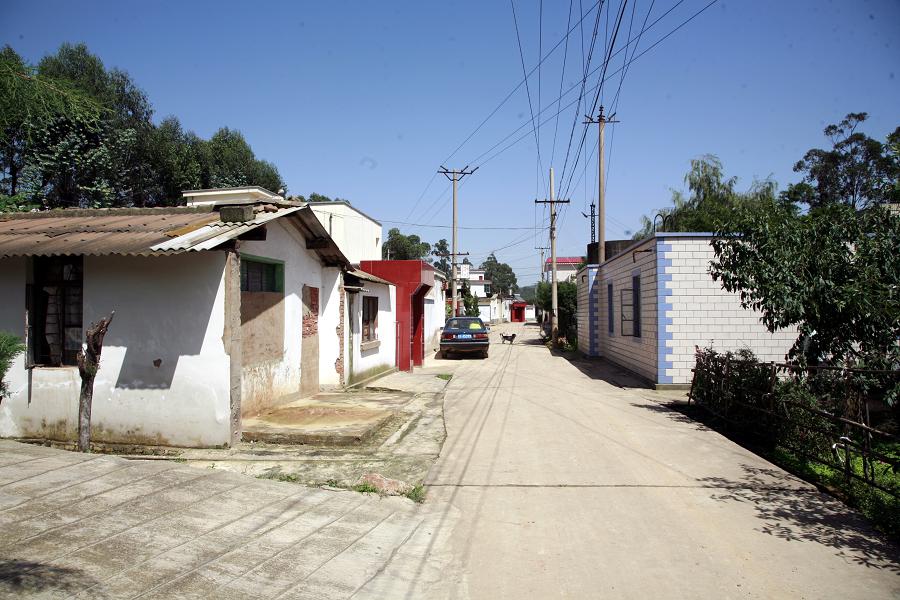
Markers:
point(146, 232)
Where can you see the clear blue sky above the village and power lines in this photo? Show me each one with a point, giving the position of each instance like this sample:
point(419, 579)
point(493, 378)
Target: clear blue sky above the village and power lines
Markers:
point(366, 100)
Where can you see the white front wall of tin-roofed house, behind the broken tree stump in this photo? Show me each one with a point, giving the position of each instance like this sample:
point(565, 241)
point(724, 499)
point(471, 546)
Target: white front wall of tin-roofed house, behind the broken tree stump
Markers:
point(167, 308)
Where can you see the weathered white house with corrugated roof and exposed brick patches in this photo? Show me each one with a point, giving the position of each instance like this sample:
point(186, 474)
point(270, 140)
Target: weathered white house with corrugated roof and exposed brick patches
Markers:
point(223, 308)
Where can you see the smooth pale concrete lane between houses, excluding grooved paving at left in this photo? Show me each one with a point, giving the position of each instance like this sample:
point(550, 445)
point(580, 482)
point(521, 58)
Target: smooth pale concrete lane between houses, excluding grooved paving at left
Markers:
point(558, 485)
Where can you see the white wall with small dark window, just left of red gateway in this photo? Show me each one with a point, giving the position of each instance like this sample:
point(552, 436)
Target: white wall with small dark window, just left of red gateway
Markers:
point(383, 356)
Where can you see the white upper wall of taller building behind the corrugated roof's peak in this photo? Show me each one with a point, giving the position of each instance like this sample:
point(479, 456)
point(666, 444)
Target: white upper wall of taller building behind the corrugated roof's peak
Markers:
point(358, 236)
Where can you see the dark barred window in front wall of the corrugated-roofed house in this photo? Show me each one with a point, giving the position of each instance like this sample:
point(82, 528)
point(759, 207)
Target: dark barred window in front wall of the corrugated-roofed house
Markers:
point(55, 307)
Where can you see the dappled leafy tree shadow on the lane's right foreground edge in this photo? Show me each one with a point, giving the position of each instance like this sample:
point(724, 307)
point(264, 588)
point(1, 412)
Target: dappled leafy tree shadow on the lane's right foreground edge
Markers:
point(793, 514)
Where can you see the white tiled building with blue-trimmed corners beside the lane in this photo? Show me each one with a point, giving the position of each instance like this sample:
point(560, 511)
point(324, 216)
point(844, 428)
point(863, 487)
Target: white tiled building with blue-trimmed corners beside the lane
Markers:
point(656, 302)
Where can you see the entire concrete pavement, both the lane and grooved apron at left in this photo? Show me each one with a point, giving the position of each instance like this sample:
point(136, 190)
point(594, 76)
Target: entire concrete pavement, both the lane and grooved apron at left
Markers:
point(551, 484)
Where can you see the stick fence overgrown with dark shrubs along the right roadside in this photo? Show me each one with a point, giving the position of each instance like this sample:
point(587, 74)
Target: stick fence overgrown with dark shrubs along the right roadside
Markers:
point(842, 419)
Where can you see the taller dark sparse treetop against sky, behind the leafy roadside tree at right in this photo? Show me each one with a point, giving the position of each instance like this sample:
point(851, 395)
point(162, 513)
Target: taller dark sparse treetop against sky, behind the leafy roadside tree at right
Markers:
point(858, 171)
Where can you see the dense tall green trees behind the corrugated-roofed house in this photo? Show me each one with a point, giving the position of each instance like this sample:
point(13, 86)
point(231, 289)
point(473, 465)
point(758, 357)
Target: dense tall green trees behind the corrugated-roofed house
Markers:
point(75, 133)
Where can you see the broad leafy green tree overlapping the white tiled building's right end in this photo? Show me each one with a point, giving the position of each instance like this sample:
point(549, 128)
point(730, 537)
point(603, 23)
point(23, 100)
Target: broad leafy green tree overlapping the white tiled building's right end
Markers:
point(832, 273)
